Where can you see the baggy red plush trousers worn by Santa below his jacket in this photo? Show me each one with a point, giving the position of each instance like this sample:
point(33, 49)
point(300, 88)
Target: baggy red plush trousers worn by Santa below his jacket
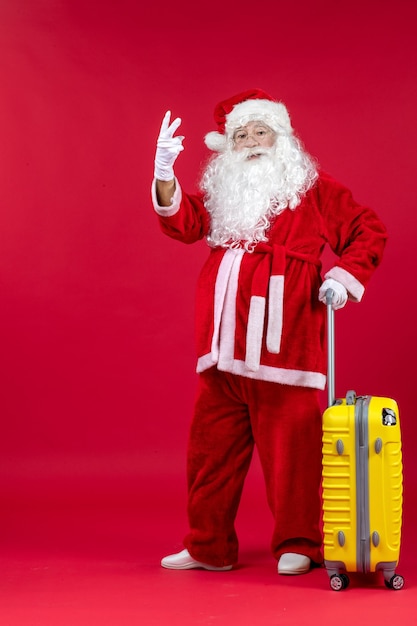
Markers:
point(232, 414)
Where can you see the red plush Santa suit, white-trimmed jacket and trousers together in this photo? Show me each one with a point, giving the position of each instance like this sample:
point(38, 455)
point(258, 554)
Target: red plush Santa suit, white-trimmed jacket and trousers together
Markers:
point(260, 332)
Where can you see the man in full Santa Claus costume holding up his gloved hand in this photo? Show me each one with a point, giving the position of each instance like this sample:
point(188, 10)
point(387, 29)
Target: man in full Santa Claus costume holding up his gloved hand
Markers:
point(266, 212)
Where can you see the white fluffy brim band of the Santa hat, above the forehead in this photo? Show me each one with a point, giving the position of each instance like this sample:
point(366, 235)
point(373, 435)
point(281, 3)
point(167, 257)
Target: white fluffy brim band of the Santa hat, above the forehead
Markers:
point(274, 114)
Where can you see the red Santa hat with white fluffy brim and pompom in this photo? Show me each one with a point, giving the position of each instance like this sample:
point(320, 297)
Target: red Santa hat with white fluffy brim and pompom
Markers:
point(238, 110)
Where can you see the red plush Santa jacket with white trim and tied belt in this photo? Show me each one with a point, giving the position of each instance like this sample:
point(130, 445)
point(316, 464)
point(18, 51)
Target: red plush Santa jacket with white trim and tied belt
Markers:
point(258, 313)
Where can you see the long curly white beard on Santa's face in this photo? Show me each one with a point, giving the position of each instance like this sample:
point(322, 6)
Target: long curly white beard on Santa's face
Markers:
point(242, 194)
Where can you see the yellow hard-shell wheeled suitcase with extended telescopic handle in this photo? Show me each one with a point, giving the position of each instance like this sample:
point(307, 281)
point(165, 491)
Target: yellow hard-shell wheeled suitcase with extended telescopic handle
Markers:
point(362, 483)
